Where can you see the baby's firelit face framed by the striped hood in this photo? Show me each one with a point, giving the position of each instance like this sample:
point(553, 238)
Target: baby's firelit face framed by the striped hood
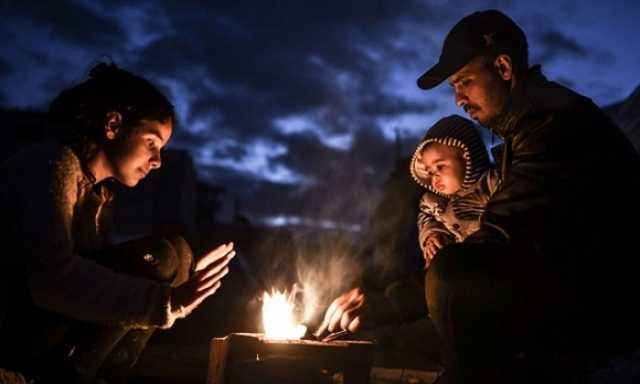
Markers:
point(445, 166)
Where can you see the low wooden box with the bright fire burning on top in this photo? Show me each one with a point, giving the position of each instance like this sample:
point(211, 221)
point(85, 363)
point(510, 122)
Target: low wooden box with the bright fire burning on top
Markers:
point(281, 355)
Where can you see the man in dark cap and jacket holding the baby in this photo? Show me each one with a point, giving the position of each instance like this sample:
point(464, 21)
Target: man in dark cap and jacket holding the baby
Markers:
point(552, 265)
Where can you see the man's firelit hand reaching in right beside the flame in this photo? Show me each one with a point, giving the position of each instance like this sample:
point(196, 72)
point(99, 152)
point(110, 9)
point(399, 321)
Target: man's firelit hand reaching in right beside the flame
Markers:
point(344, 312)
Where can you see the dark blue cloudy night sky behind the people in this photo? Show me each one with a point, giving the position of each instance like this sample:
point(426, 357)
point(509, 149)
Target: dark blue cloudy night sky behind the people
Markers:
point(294, 106)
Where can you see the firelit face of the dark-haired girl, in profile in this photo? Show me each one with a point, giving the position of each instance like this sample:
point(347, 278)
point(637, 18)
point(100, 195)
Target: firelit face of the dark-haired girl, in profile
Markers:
point(134, 153)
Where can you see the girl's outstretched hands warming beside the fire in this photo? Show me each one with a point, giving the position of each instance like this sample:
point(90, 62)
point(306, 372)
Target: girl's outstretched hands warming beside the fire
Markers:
point(210, 270)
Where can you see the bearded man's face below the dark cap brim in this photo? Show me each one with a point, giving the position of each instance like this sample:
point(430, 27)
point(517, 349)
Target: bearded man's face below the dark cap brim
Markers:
point(480, 90)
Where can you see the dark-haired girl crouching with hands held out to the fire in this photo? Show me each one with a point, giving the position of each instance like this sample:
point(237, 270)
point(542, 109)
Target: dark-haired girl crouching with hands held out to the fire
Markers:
point(78, 307)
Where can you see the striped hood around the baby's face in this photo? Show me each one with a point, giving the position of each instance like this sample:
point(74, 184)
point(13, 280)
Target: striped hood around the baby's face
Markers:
point(454, 131)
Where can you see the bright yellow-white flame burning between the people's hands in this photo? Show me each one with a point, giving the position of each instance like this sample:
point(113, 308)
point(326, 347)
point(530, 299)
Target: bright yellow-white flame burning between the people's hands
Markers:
point(278, 317)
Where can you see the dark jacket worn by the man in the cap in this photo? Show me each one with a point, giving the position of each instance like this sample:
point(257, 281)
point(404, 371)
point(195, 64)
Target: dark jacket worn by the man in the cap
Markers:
point(569, 194)
